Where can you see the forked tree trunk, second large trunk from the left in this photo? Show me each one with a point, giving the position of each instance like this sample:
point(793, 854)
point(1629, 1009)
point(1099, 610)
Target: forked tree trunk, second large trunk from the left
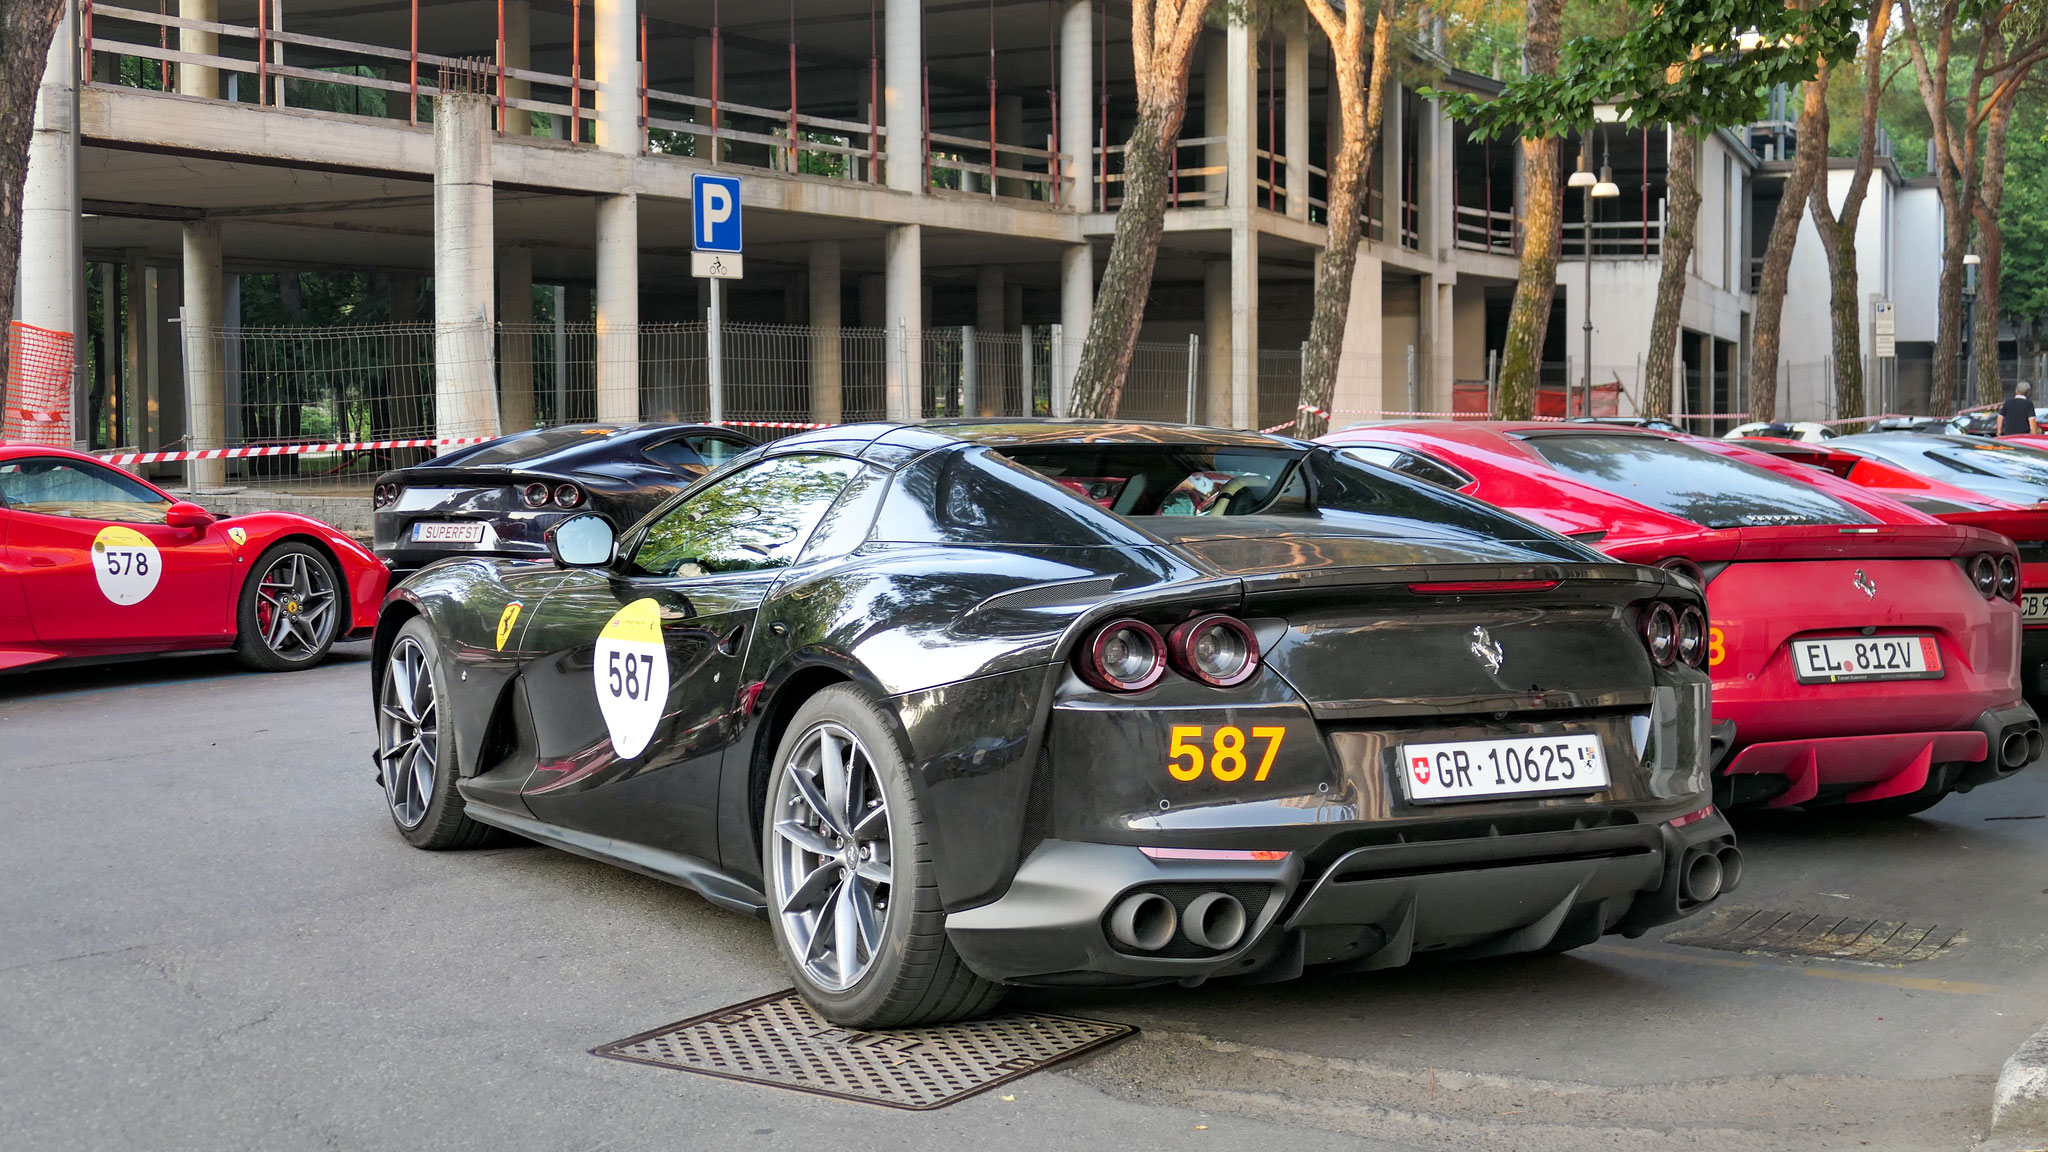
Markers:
point(1361, 104)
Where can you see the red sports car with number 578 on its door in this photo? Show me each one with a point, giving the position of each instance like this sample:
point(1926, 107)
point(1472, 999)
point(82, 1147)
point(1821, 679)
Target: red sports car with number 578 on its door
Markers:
point(99, 565)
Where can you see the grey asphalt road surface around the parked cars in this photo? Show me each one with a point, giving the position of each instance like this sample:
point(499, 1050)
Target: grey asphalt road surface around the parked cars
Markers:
point(210, 938)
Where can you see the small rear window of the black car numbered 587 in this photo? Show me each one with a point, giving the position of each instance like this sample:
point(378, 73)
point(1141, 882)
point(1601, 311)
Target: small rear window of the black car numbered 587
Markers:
point(1175, 481)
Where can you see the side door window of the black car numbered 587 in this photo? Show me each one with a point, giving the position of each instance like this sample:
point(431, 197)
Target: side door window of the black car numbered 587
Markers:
point(755, 520)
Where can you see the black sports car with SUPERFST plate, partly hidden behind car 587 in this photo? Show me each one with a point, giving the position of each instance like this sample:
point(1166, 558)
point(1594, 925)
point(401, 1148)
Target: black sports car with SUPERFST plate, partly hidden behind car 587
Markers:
point(501, 497)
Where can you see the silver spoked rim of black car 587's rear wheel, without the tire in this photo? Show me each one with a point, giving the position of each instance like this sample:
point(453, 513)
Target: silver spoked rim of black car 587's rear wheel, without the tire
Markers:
point(833, 862)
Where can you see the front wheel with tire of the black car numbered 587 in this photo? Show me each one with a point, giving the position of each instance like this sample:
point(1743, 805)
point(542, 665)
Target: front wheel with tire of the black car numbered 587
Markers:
point(415, 753)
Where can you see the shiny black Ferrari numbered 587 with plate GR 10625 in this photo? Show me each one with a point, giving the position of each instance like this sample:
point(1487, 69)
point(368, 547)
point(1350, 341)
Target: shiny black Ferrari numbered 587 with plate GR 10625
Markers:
point(964, 706)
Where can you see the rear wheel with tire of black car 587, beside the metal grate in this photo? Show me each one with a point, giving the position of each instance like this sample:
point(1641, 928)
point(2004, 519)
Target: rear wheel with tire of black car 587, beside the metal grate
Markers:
point(867, 858)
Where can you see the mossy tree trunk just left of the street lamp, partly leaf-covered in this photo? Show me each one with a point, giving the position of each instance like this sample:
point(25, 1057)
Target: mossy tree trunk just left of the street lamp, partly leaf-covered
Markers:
point(1543, 218)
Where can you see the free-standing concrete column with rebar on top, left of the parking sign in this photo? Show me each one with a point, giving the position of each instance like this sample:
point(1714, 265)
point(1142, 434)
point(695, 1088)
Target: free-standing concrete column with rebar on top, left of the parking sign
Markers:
point(466, 388)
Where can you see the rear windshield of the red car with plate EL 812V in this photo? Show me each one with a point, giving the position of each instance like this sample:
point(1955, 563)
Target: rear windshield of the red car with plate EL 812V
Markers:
point(1701, 487)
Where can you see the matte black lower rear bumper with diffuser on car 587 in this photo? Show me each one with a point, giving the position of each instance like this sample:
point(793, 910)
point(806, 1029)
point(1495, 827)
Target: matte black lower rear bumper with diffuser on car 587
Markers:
point(1373, 907)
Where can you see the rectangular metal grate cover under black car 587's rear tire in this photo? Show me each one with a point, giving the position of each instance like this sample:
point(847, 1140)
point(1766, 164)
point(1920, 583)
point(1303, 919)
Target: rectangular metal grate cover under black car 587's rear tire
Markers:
point(779, 1040)
